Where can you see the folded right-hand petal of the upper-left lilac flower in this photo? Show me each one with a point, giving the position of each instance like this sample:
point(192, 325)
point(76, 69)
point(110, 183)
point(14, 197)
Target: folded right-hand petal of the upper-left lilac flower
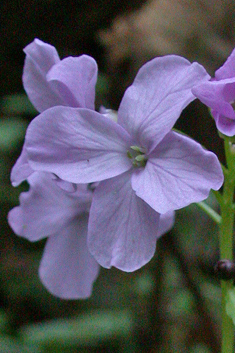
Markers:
point(74, 80)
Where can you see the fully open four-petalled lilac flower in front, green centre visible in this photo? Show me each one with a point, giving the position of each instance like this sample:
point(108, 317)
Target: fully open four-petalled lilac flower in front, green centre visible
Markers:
point(144, 169)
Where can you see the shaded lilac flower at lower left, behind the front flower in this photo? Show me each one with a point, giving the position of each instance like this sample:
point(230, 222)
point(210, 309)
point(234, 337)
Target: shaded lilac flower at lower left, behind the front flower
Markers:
point(67, 268)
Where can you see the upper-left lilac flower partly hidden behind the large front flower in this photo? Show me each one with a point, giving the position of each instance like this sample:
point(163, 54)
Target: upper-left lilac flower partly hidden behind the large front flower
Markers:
point(48, 82)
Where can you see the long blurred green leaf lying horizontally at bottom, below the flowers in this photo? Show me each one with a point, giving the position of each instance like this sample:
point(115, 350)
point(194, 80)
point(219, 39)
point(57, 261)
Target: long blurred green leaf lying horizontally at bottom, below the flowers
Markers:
point(89, 329)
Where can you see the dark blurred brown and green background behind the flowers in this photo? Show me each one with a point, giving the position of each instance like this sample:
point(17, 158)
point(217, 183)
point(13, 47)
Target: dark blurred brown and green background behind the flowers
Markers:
point(172, 304)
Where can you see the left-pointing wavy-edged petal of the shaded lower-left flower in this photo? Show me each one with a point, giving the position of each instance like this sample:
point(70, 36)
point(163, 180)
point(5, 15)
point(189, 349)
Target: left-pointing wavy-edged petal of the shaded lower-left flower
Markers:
point(46, 208)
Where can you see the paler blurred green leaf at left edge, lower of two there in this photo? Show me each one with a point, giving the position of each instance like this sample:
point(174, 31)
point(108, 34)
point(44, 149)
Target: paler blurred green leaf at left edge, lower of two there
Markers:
point(12, 131)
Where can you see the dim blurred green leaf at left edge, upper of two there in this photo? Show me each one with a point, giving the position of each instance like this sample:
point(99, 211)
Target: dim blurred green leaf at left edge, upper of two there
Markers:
point(17, 104)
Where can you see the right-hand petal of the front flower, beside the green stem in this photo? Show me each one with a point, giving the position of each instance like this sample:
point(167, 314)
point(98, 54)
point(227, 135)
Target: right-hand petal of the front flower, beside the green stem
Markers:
point(178, 172)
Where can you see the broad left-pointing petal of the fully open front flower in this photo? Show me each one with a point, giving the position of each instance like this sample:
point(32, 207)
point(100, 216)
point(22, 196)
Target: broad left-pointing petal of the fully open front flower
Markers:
point(78, 145)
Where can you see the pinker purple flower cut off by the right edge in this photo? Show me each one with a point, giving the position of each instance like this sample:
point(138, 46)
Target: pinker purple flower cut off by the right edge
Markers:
point(219, 95)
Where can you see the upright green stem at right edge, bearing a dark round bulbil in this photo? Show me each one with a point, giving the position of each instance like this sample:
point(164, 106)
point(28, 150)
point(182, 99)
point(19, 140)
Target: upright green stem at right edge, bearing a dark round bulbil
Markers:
point(226, 244)
